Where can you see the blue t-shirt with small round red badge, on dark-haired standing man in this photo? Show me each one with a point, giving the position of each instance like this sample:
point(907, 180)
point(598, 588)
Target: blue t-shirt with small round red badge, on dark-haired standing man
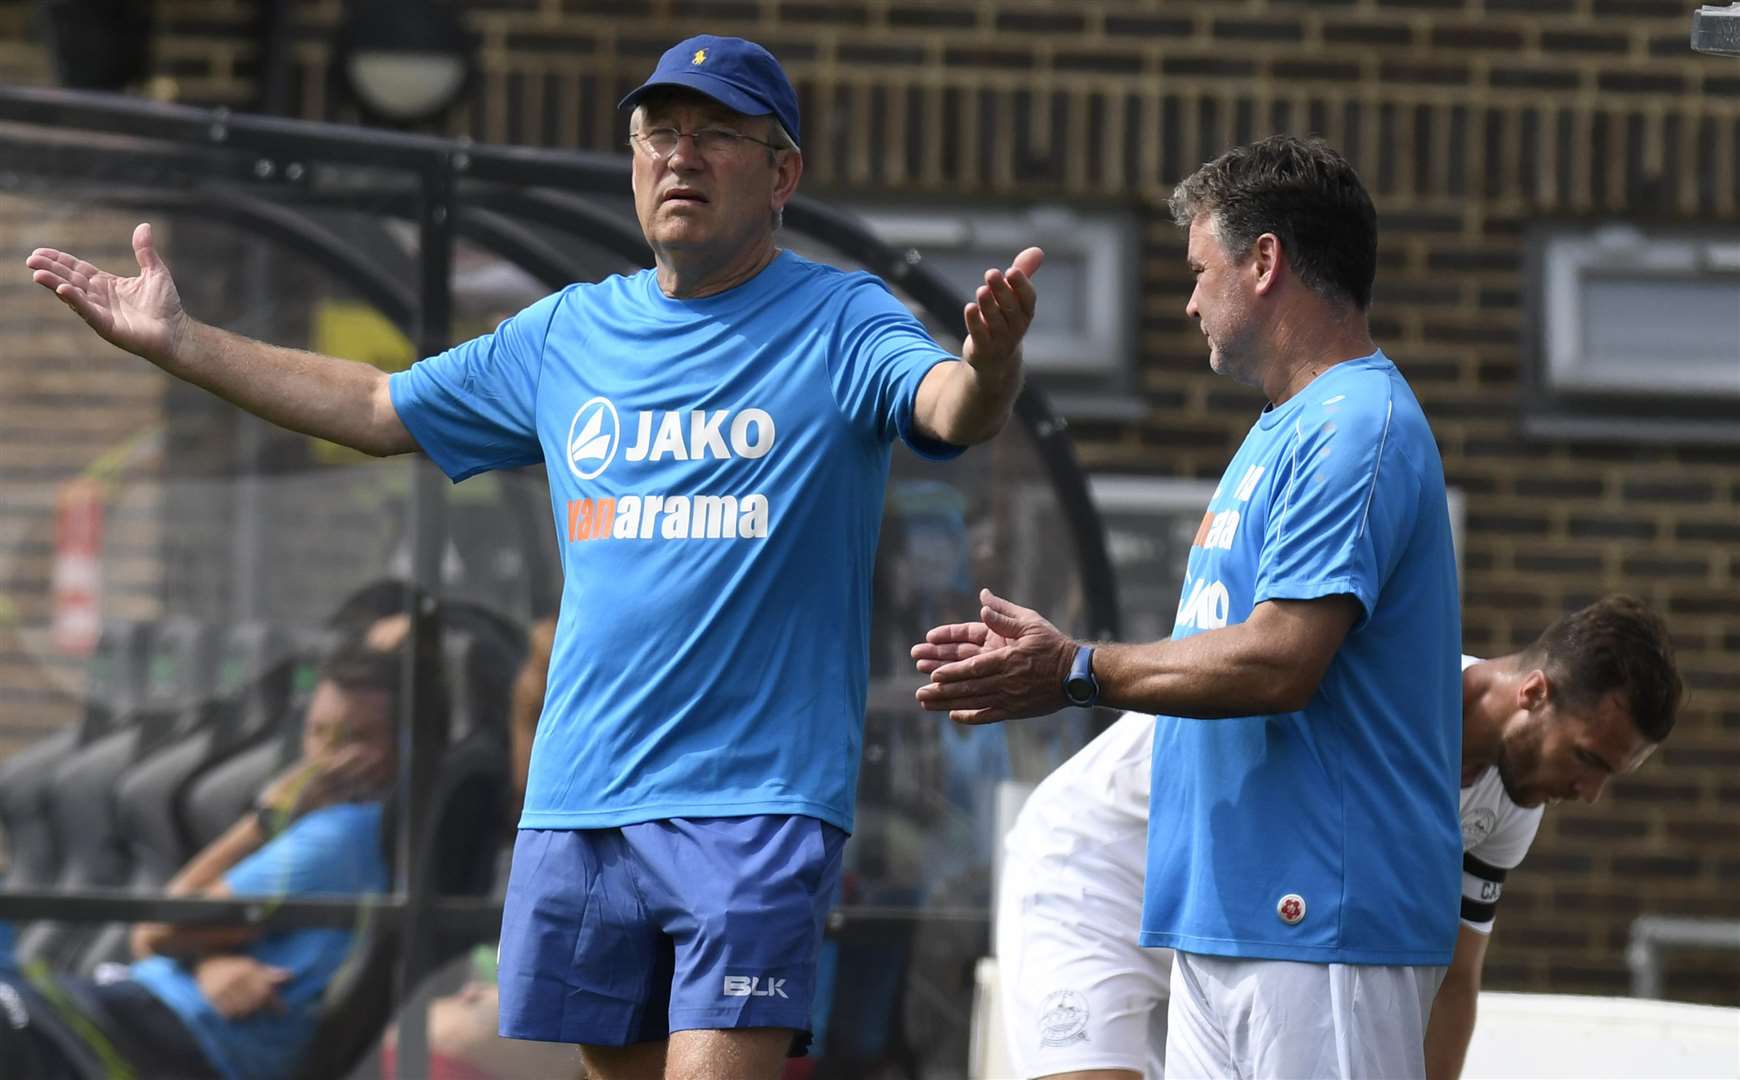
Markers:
point(1325, 836)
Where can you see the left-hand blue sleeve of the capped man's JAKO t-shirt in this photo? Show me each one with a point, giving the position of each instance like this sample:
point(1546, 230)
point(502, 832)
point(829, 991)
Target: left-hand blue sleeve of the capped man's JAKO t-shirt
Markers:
point(476, 406)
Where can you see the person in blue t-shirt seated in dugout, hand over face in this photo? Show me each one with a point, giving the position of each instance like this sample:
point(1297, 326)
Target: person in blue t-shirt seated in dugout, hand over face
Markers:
point(241, 1003)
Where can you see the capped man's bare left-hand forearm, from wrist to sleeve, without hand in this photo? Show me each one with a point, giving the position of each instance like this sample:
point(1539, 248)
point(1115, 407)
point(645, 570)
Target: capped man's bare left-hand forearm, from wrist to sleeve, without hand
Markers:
point(340, 401)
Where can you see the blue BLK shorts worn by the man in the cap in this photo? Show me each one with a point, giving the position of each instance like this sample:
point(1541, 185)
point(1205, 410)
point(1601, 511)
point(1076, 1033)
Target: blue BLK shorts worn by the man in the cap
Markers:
point(626, 935)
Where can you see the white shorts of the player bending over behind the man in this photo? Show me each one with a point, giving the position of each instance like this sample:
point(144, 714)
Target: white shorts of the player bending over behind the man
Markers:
point(1076, 990)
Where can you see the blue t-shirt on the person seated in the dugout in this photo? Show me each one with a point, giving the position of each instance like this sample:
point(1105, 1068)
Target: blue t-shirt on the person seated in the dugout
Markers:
point(331, 851)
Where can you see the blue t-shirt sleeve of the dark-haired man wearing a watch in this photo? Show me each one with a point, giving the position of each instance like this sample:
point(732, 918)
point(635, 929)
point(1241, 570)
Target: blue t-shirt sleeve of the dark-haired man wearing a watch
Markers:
point(1344, 509)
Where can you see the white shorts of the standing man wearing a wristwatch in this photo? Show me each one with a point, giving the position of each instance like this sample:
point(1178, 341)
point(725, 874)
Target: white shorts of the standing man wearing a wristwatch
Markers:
point(1261, 1020)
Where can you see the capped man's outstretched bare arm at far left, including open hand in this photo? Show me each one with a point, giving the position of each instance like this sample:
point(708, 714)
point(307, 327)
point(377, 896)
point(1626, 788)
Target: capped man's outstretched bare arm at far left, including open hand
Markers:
point(333, 399)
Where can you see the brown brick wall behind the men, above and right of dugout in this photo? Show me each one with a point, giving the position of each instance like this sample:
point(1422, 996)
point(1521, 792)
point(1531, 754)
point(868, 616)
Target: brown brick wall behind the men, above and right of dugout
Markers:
point(1468, 119)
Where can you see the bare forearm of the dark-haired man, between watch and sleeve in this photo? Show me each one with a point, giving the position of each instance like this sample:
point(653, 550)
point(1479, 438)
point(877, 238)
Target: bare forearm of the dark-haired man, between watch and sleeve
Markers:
point(1231, 672)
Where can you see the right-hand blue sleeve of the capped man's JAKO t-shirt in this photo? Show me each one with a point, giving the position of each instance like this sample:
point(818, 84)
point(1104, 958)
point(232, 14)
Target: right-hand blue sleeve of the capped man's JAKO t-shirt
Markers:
point(883, 357)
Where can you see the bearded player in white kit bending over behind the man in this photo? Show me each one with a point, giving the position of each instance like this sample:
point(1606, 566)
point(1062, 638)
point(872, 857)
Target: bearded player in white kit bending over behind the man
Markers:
point(1081, 999)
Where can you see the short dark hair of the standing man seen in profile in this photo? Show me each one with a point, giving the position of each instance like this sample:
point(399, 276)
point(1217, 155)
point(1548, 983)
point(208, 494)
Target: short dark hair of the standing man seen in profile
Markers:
point(1302, 192)
